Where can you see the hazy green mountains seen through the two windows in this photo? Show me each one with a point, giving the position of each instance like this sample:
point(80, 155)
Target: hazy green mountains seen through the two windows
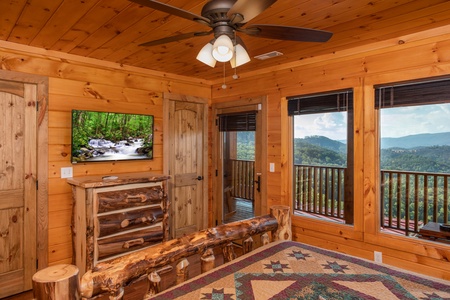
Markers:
point(419, 153)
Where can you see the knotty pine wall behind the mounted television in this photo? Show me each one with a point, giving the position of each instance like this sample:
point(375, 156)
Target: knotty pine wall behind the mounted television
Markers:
point(76, 83)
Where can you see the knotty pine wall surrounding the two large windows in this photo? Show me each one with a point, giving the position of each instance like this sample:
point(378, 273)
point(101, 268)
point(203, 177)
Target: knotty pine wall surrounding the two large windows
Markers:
point(422, 55)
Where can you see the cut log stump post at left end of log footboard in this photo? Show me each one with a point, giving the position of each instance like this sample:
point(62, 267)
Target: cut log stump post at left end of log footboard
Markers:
point(56, 282)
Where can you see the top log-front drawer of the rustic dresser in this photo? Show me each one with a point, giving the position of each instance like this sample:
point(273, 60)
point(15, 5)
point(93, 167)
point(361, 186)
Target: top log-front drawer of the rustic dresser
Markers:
point(127, 198)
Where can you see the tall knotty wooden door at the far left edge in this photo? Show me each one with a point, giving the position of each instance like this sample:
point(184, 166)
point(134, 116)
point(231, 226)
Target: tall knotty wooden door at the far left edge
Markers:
point(18, 181)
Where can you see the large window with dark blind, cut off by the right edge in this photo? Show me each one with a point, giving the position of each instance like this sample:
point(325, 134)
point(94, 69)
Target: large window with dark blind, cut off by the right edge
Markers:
point(414, 154)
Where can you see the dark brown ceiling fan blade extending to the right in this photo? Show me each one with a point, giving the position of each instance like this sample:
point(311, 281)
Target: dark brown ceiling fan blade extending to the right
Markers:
point(288, 33)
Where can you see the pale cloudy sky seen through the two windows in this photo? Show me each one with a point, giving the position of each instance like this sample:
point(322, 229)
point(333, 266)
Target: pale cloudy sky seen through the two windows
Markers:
point(395, 122)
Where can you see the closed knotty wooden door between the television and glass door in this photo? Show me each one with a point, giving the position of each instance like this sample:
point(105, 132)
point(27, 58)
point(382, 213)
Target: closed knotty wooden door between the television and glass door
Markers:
point(187, 157)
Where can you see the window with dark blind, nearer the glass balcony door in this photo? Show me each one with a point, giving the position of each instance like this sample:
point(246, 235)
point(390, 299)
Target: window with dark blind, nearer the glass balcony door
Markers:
point(323, 165)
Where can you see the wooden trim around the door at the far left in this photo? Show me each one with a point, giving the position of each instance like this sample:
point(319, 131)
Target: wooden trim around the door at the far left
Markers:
point(41, 178)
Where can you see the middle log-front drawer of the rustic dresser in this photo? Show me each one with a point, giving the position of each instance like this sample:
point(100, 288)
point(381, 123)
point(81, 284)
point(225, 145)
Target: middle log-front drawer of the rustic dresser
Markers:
point(118, 222)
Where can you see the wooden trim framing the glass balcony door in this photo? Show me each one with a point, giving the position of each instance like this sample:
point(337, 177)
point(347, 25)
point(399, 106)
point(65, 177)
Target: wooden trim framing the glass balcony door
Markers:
point(256, 103)
